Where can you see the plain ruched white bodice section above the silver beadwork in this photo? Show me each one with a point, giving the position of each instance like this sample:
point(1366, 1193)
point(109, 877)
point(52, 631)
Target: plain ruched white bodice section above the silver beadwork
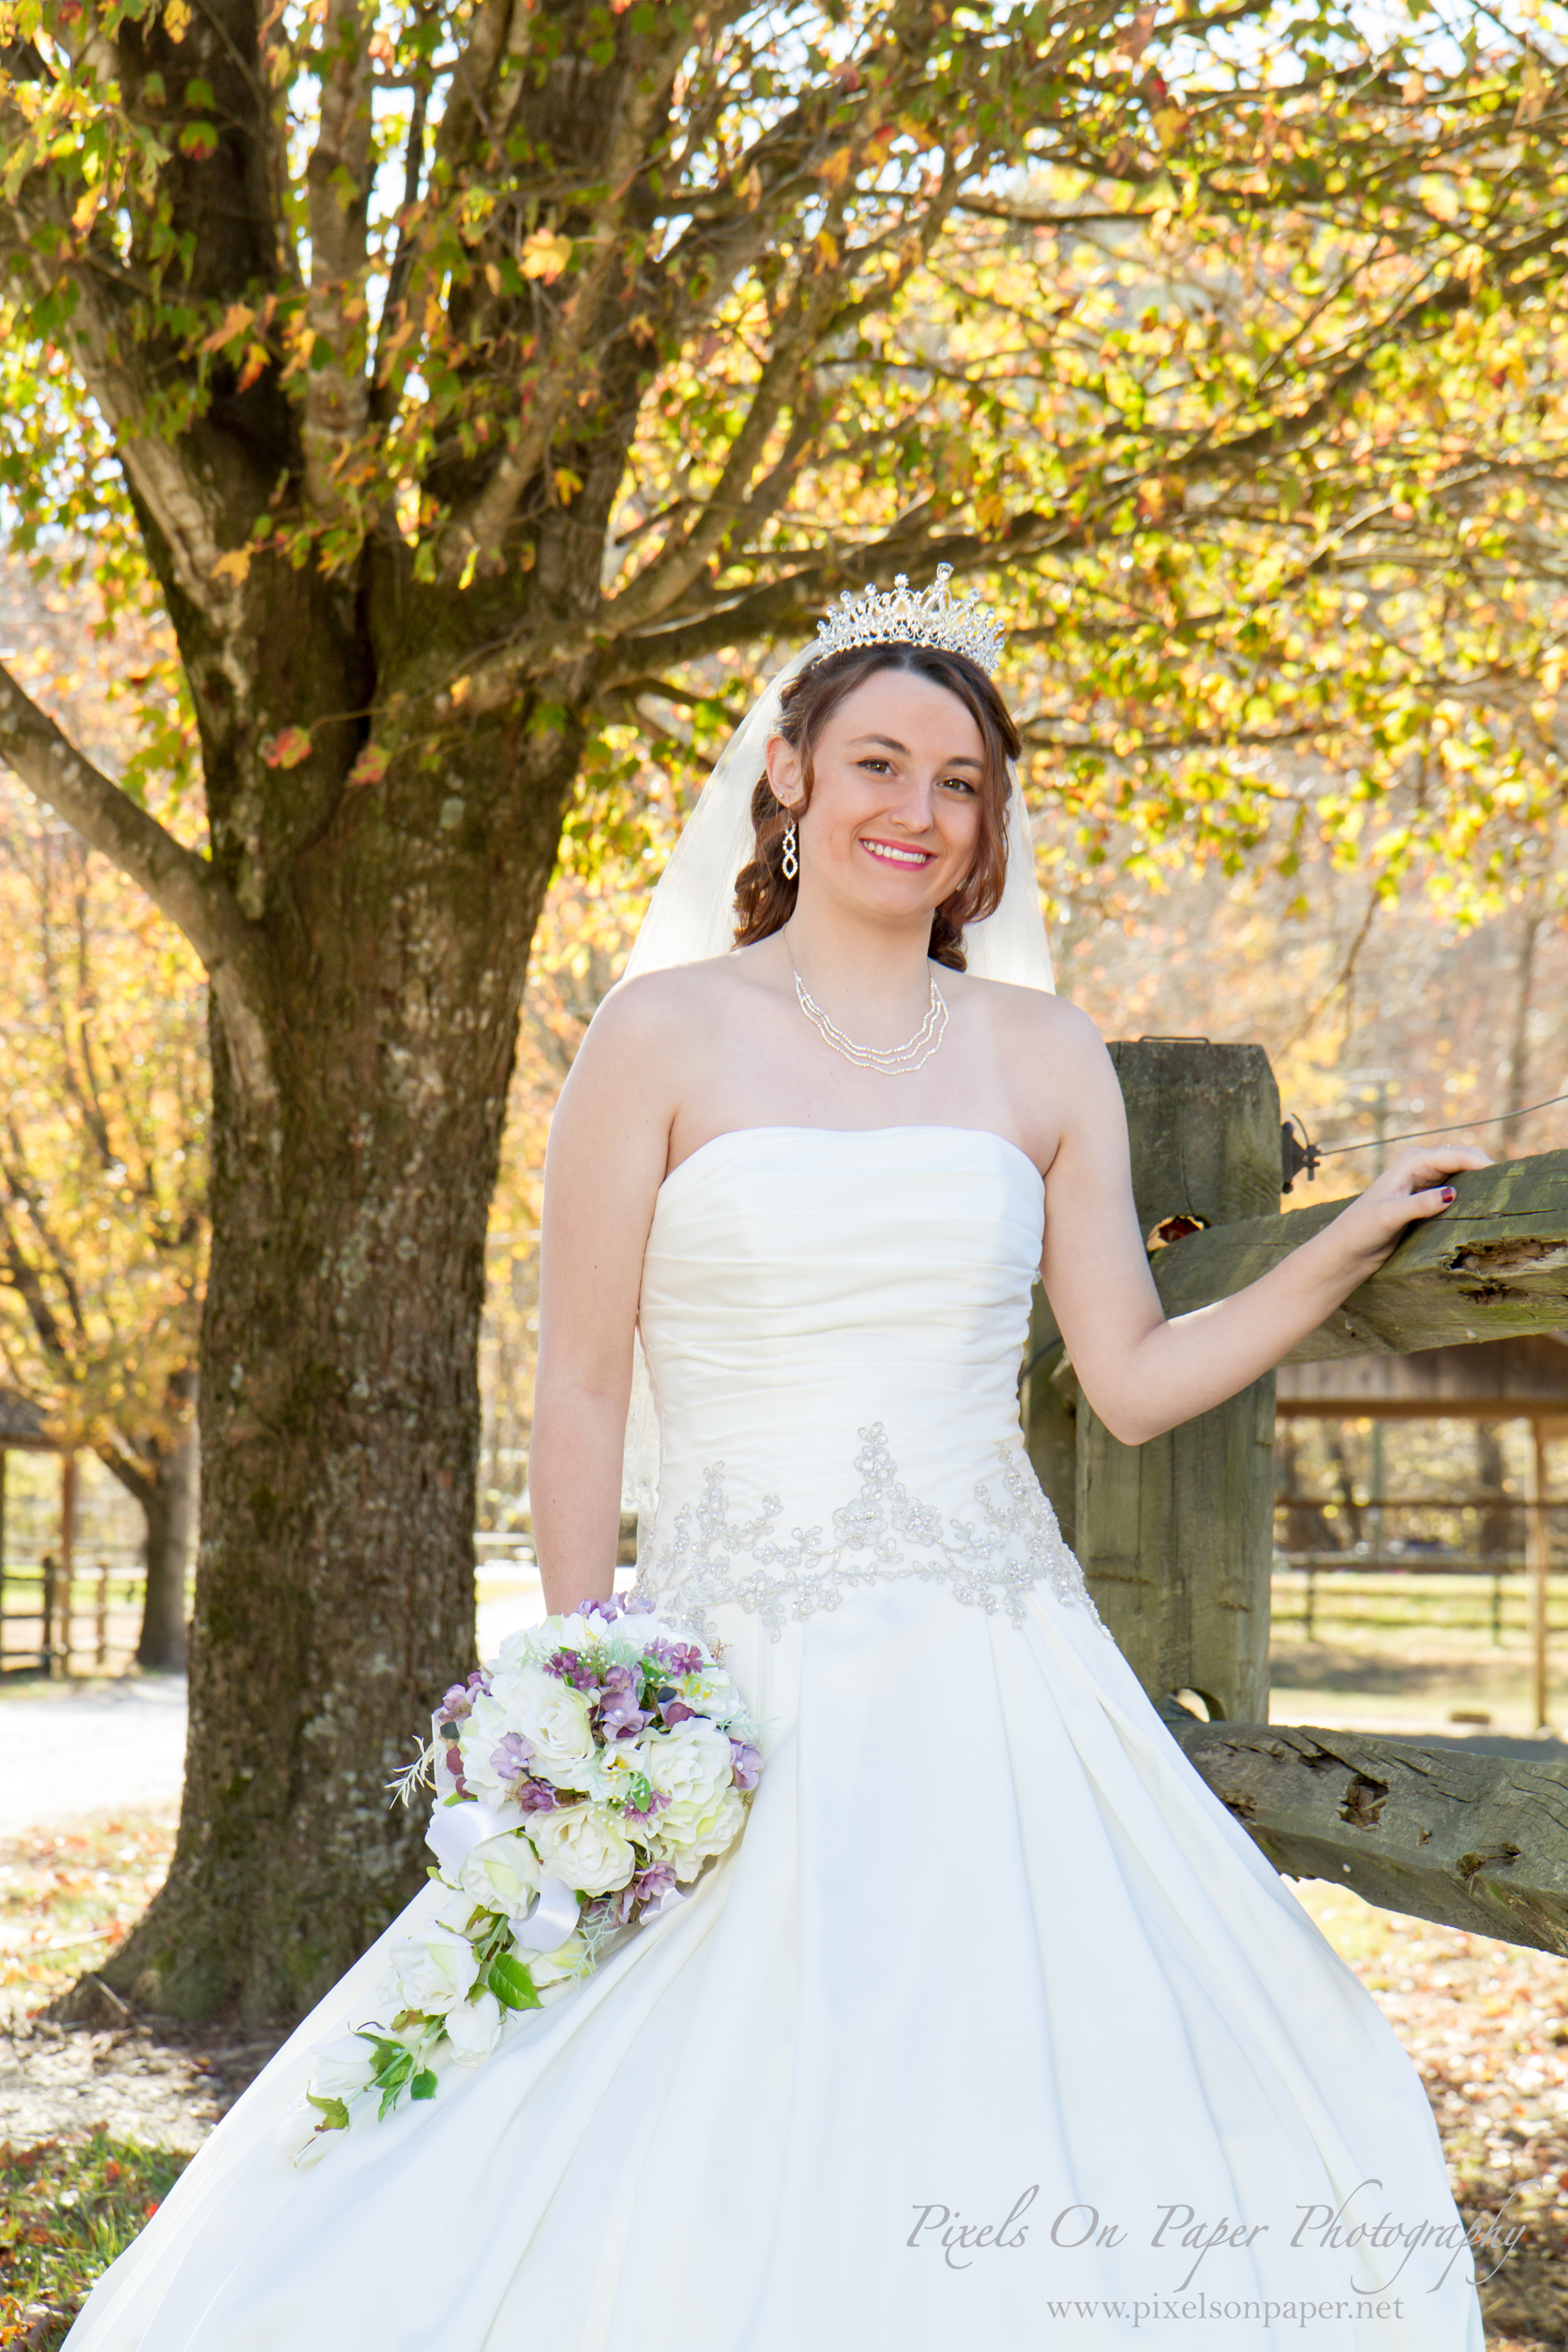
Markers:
point(798, 1278)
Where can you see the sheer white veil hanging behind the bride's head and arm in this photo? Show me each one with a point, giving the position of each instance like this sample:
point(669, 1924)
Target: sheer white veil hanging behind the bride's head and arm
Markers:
point(692, 916)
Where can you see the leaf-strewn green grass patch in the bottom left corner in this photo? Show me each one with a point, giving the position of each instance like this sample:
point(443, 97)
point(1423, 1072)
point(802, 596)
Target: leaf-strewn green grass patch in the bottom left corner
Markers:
point(67, 2210)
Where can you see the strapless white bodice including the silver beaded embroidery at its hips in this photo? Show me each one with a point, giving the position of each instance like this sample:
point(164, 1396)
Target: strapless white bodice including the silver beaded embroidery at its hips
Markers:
point(833, 1325)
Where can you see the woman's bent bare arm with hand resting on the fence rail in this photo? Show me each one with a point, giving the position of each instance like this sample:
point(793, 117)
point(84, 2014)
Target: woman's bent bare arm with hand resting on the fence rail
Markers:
point(1141, 1372)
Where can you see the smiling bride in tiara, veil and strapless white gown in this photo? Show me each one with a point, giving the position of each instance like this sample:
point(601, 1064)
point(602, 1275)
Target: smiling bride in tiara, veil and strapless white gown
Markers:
point(993, 2026)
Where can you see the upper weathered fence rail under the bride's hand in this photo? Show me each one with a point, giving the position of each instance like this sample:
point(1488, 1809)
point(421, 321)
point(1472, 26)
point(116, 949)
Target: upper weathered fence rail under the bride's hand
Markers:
point(1496, 1264)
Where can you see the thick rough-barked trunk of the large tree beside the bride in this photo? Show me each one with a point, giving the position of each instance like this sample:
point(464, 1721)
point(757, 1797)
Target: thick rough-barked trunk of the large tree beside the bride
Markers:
point(340, 1372)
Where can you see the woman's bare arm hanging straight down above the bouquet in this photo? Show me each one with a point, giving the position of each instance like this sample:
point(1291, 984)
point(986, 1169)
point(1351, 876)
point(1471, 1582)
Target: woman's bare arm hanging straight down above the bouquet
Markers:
point(603, 1170)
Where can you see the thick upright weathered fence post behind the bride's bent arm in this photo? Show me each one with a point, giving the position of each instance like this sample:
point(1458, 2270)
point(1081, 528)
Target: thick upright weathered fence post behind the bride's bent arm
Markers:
point(1177, 1537)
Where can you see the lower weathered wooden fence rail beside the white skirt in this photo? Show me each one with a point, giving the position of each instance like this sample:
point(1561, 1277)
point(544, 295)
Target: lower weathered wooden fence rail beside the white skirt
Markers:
point(1468, 1840)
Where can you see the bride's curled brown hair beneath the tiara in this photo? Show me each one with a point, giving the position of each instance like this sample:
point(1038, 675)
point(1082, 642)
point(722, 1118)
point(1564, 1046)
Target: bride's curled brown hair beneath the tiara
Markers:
point(765, 897)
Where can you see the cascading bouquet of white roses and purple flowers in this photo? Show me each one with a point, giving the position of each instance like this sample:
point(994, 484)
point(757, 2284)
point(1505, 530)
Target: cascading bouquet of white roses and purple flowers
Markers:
point(582, 1784)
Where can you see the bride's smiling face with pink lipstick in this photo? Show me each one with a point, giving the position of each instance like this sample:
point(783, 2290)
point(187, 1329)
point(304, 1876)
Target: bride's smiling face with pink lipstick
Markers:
point(897, 780)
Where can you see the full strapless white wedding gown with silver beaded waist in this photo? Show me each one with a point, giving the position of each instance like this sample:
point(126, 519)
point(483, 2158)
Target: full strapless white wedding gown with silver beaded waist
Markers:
point(989, 1984)
